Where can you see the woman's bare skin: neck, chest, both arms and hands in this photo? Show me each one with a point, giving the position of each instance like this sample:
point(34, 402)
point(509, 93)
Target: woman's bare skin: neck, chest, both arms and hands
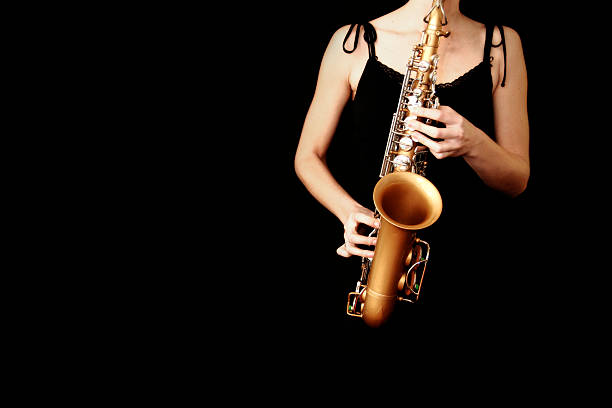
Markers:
point(503, 164)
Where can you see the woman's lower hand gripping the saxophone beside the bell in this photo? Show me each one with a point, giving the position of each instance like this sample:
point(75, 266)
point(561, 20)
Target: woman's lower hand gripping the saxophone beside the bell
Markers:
point(352, 236)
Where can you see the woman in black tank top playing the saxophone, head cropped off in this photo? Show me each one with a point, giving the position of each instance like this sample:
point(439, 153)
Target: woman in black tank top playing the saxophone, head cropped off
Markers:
point(480, 155)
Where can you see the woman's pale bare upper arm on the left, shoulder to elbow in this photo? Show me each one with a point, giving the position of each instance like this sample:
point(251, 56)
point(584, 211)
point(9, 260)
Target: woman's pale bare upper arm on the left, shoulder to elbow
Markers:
point(331, 95)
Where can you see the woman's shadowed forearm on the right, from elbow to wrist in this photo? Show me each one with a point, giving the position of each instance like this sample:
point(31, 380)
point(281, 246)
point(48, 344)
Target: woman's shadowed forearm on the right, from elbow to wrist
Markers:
point(499, 168)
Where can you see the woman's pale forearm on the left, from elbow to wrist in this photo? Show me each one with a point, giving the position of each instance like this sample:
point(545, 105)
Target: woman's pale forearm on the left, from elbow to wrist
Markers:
point(315, 175)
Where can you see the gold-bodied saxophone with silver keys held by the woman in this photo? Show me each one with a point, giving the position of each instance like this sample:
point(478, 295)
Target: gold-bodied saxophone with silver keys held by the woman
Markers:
point(405, 200)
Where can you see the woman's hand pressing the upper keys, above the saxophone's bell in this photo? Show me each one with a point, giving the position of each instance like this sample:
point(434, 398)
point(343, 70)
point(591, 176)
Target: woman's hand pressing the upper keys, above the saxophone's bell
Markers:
point(458, 138)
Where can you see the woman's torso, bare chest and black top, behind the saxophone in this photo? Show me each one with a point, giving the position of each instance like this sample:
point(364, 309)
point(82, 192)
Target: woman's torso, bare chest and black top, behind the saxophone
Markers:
point(467, 82)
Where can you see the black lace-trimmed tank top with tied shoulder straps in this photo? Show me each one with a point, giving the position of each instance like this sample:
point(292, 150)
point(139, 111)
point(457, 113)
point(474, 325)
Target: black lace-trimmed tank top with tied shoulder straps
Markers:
point(466, 238)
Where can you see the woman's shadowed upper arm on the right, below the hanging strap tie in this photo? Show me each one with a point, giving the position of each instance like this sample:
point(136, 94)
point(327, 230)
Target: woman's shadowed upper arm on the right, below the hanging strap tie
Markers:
point(510, 100)
